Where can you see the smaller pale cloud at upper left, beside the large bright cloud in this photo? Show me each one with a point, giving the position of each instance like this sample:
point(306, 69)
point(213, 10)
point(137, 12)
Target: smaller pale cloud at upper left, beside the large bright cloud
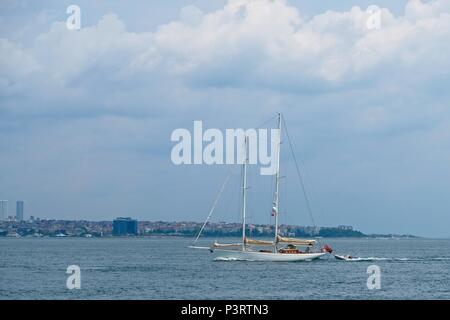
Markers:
point(68, 54)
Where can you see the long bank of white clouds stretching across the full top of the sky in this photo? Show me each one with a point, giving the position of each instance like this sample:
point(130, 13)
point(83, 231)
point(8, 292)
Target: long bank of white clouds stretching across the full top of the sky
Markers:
point(249, 43)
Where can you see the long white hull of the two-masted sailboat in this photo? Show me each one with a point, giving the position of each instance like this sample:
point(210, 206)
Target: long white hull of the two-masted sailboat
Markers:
point(235, 255)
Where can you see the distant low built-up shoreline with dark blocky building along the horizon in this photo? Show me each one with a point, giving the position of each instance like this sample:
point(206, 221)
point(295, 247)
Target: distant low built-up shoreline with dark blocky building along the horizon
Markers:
point(132, 227)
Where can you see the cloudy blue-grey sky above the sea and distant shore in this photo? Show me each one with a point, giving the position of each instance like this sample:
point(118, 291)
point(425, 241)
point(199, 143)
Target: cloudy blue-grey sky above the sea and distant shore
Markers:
point(86, 115)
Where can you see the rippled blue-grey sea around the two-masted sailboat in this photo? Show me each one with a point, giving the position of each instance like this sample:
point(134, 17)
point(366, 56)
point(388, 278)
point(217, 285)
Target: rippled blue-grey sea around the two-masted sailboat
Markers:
point(164, 268)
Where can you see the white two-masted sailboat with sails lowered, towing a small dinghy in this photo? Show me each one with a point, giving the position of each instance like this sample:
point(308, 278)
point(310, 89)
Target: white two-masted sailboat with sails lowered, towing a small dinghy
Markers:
point(281, 248)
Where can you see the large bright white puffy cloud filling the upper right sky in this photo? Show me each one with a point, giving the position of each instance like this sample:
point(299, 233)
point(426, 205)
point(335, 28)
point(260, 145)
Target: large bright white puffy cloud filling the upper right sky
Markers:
point(264, 42)
